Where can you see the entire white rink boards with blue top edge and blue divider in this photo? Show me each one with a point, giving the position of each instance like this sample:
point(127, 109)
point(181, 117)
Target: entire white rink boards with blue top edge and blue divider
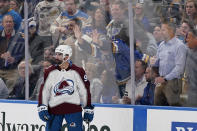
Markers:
point(23, 116)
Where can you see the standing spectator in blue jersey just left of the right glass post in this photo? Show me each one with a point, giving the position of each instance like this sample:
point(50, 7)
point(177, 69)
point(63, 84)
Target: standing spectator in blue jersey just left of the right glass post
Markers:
point(118, 27)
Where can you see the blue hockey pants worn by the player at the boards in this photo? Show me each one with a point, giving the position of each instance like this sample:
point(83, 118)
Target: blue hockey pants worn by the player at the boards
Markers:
point(74, 122)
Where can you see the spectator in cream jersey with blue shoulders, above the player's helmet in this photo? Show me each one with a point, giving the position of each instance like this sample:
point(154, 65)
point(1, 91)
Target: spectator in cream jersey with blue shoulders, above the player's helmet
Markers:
point(71, 12)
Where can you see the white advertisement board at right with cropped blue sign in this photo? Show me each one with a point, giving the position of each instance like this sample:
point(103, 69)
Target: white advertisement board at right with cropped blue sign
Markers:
point(171, 120)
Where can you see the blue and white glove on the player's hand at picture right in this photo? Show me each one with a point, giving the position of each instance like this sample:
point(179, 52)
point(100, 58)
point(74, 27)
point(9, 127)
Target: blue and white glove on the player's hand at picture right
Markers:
point(88, 114)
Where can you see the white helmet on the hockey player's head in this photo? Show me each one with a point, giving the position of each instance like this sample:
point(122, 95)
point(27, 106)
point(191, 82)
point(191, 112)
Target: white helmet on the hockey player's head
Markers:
point(65, 50)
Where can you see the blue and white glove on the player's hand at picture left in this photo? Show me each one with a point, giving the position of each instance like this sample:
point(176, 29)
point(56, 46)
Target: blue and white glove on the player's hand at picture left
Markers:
point(43, 113)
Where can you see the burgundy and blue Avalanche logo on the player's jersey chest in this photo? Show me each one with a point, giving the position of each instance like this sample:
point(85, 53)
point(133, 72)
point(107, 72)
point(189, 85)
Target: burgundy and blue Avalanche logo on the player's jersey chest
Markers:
point(65, 86)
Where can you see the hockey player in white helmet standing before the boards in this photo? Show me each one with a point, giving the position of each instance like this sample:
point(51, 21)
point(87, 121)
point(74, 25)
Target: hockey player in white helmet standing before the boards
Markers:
point(64, 90)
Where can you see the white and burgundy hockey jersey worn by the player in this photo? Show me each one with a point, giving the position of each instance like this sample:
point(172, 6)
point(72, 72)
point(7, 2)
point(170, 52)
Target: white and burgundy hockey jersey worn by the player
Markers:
point(63, 91)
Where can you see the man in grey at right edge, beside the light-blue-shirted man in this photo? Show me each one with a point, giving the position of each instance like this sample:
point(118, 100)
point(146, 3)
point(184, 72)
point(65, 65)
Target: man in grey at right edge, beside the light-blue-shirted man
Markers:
point(191, 71)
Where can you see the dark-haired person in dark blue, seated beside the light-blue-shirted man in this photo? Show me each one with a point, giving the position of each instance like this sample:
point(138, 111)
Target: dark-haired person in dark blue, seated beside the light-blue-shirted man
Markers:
point(148, 96)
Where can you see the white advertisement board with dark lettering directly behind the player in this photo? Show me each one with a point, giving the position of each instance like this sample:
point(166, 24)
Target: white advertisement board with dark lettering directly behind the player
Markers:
point(24, 117)
